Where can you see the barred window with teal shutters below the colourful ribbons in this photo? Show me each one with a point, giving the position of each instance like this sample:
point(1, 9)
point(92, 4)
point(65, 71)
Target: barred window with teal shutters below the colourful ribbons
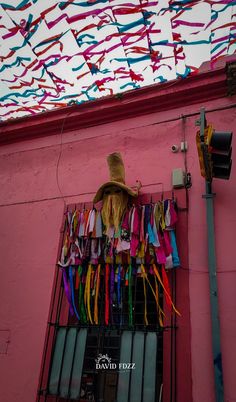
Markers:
point(87, 362)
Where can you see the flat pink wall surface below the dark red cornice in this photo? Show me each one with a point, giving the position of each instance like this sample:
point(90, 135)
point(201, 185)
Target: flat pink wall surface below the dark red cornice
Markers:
point(31, 210)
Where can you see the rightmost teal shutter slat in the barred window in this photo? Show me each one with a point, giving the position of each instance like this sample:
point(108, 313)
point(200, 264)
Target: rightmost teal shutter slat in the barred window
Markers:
point(150, 367)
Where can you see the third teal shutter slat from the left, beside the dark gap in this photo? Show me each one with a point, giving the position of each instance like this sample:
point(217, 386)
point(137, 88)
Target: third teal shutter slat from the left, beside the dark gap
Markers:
point(78, 363)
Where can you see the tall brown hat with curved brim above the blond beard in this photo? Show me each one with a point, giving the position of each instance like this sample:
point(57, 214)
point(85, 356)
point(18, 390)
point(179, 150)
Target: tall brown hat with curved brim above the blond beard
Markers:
point(117, 177)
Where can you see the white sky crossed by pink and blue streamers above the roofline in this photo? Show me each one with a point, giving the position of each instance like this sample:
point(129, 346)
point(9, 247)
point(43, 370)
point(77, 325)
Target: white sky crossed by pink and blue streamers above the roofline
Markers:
point(56, 53)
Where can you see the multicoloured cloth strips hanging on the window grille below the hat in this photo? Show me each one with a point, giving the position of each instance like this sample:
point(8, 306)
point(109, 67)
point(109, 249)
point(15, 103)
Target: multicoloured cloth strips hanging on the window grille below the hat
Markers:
point(96, 268)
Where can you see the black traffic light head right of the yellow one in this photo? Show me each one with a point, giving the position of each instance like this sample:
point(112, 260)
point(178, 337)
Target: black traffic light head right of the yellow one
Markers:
point(220, 150)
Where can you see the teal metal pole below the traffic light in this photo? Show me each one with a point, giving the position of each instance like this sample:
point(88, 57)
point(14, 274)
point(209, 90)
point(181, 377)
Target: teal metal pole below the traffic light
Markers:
point(218, 371)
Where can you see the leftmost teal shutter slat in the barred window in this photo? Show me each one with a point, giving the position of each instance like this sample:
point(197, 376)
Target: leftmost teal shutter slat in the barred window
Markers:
point(57, 361)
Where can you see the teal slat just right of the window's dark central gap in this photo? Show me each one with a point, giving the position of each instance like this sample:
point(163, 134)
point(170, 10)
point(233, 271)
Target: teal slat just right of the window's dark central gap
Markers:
point(124, 376)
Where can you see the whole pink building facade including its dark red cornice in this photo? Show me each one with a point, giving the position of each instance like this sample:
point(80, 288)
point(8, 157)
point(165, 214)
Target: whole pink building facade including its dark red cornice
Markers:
point(59, 158)
